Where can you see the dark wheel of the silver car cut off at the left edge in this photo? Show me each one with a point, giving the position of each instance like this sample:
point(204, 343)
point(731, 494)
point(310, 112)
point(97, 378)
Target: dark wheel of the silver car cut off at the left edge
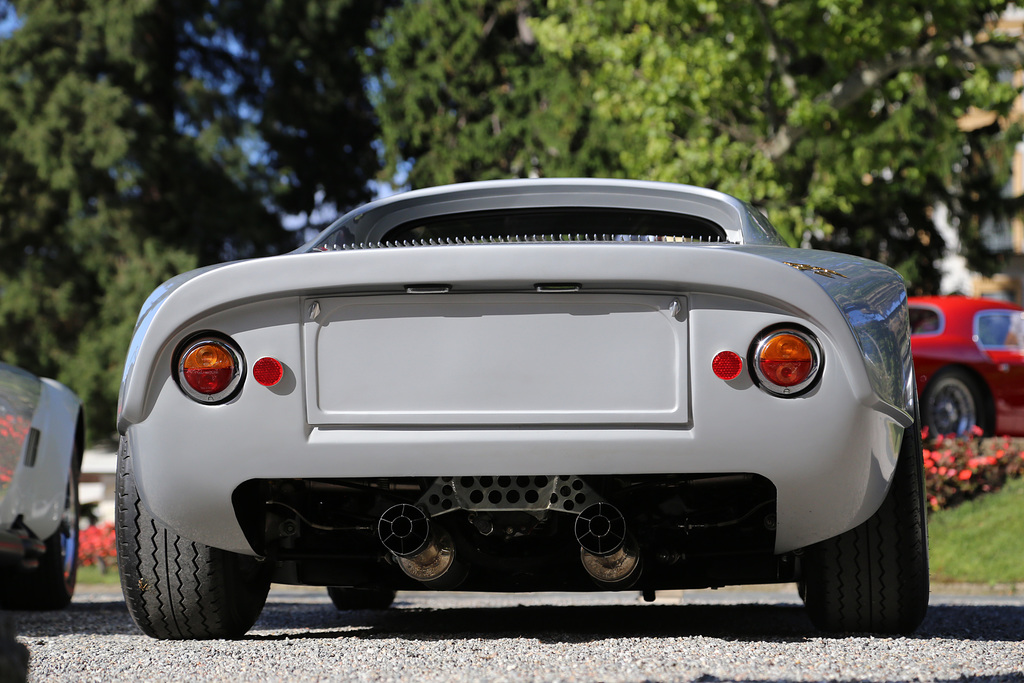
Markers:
point(52, 584)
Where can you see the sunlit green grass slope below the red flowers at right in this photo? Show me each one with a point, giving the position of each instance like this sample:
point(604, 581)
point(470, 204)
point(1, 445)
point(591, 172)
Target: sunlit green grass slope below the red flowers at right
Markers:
point(983, 541)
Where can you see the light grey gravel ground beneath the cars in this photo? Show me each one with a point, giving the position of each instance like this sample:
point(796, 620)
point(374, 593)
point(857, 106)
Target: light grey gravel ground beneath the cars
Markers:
point(706, 636)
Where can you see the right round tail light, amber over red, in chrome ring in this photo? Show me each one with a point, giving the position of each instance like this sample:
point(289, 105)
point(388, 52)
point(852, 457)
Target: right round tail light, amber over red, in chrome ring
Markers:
point(787, 362)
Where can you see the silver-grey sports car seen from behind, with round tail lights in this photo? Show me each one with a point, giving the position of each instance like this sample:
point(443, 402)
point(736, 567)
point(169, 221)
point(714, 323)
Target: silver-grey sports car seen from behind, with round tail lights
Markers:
point(525, 386)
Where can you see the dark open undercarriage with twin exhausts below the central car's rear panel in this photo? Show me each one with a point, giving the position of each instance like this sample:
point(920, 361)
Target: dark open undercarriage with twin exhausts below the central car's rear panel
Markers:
point(540, 533)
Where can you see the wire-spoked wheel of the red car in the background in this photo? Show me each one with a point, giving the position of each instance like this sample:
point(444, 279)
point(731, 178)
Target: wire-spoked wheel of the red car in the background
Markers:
point(954, 403)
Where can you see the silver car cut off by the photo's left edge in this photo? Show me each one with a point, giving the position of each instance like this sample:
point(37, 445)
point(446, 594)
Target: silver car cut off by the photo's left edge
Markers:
point(41, 442)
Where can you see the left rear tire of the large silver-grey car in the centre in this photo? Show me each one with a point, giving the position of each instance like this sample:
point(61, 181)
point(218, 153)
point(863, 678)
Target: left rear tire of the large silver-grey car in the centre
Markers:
point(177, 588)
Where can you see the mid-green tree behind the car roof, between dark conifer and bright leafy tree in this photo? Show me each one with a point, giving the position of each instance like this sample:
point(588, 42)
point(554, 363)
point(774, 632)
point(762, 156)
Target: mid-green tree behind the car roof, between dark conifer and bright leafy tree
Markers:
point(463, 94)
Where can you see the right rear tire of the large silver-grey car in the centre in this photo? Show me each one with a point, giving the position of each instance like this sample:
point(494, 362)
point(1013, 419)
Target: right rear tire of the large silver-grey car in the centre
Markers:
point(875, 578)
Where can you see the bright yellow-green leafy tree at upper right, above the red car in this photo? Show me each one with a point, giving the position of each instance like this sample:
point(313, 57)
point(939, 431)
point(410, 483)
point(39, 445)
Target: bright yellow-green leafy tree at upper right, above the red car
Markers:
point(839, 118)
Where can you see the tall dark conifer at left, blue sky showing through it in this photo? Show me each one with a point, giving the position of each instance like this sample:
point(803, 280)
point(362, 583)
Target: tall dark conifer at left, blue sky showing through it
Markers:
point(140, 140)
